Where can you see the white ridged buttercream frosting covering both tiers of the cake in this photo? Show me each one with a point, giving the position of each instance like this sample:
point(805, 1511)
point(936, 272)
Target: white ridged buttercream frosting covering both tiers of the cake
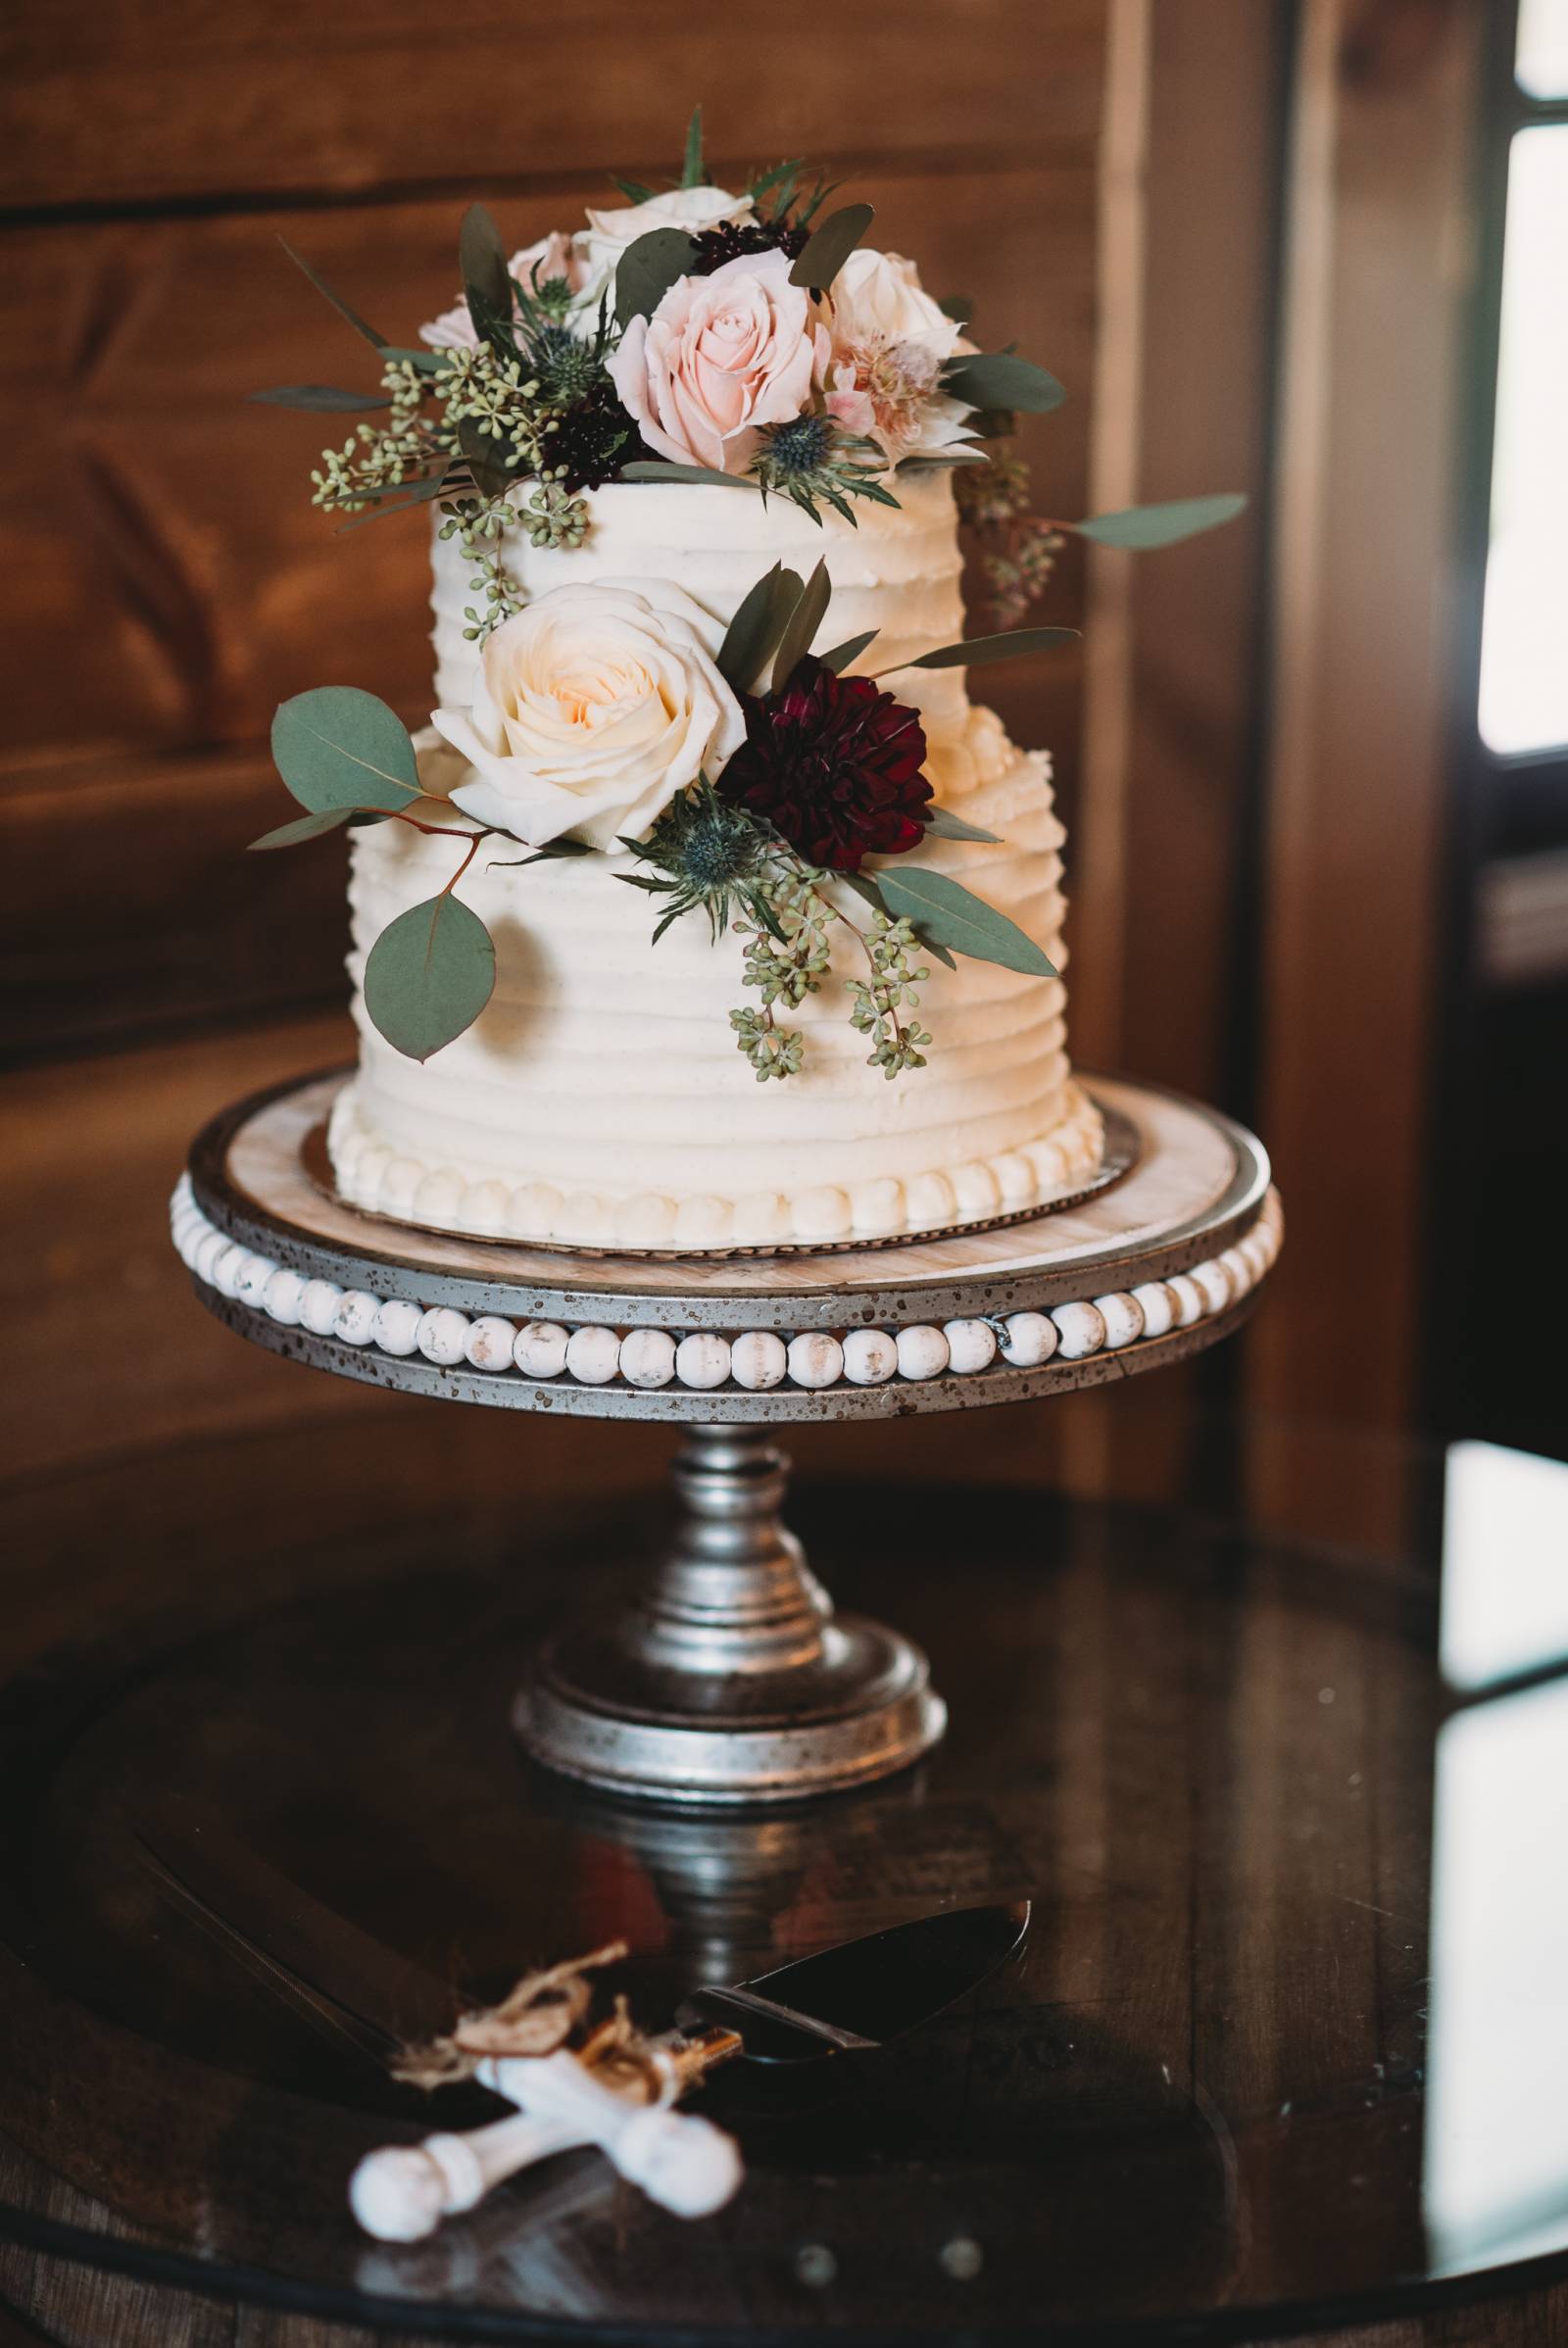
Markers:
point(600, 1100)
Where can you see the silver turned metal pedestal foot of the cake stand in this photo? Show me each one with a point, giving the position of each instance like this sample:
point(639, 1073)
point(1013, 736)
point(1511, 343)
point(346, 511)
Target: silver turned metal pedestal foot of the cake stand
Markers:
point(731, 1680)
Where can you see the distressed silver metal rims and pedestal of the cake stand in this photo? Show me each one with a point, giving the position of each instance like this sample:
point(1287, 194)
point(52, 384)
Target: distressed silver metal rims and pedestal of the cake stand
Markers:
point(729, 1680)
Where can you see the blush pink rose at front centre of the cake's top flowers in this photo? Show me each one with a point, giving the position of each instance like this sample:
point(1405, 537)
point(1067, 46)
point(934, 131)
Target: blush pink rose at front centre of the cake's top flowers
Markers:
point(719, 358)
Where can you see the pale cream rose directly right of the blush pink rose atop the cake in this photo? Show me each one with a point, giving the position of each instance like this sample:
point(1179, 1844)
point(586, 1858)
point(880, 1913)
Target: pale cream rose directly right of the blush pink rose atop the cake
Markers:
point(891, 344)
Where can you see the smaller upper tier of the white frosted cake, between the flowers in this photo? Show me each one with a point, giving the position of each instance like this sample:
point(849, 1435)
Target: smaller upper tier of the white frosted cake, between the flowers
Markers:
point(895, 572)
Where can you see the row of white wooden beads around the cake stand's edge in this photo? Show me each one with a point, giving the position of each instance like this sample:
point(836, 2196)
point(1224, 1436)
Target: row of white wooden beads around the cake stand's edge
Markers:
point(703, 1361)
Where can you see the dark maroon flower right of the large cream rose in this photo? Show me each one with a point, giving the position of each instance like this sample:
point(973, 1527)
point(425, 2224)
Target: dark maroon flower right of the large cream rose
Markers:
point(834, 764)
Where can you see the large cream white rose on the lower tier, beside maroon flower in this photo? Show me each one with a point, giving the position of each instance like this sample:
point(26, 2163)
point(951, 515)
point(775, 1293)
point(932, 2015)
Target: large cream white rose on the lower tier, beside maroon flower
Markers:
point(593, 710)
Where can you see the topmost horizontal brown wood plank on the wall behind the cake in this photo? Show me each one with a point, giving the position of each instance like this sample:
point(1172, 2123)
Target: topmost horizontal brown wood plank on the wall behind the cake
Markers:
point(217, 97)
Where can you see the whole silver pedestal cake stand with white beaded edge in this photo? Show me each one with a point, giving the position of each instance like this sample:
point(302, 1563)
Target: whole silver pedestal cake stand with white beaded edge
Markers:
point(734, 1680)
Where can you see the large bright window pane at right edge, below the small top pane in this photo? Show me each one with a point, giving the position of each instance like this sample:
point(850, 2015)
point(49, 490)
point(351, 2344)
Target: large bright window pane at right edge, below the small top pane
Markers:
point(1525, 630)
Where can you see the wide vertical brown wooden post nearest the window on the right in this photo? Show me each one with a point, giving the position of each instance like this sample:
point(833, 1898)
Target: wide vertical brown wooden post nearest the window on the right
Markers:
point(1377, 297)
